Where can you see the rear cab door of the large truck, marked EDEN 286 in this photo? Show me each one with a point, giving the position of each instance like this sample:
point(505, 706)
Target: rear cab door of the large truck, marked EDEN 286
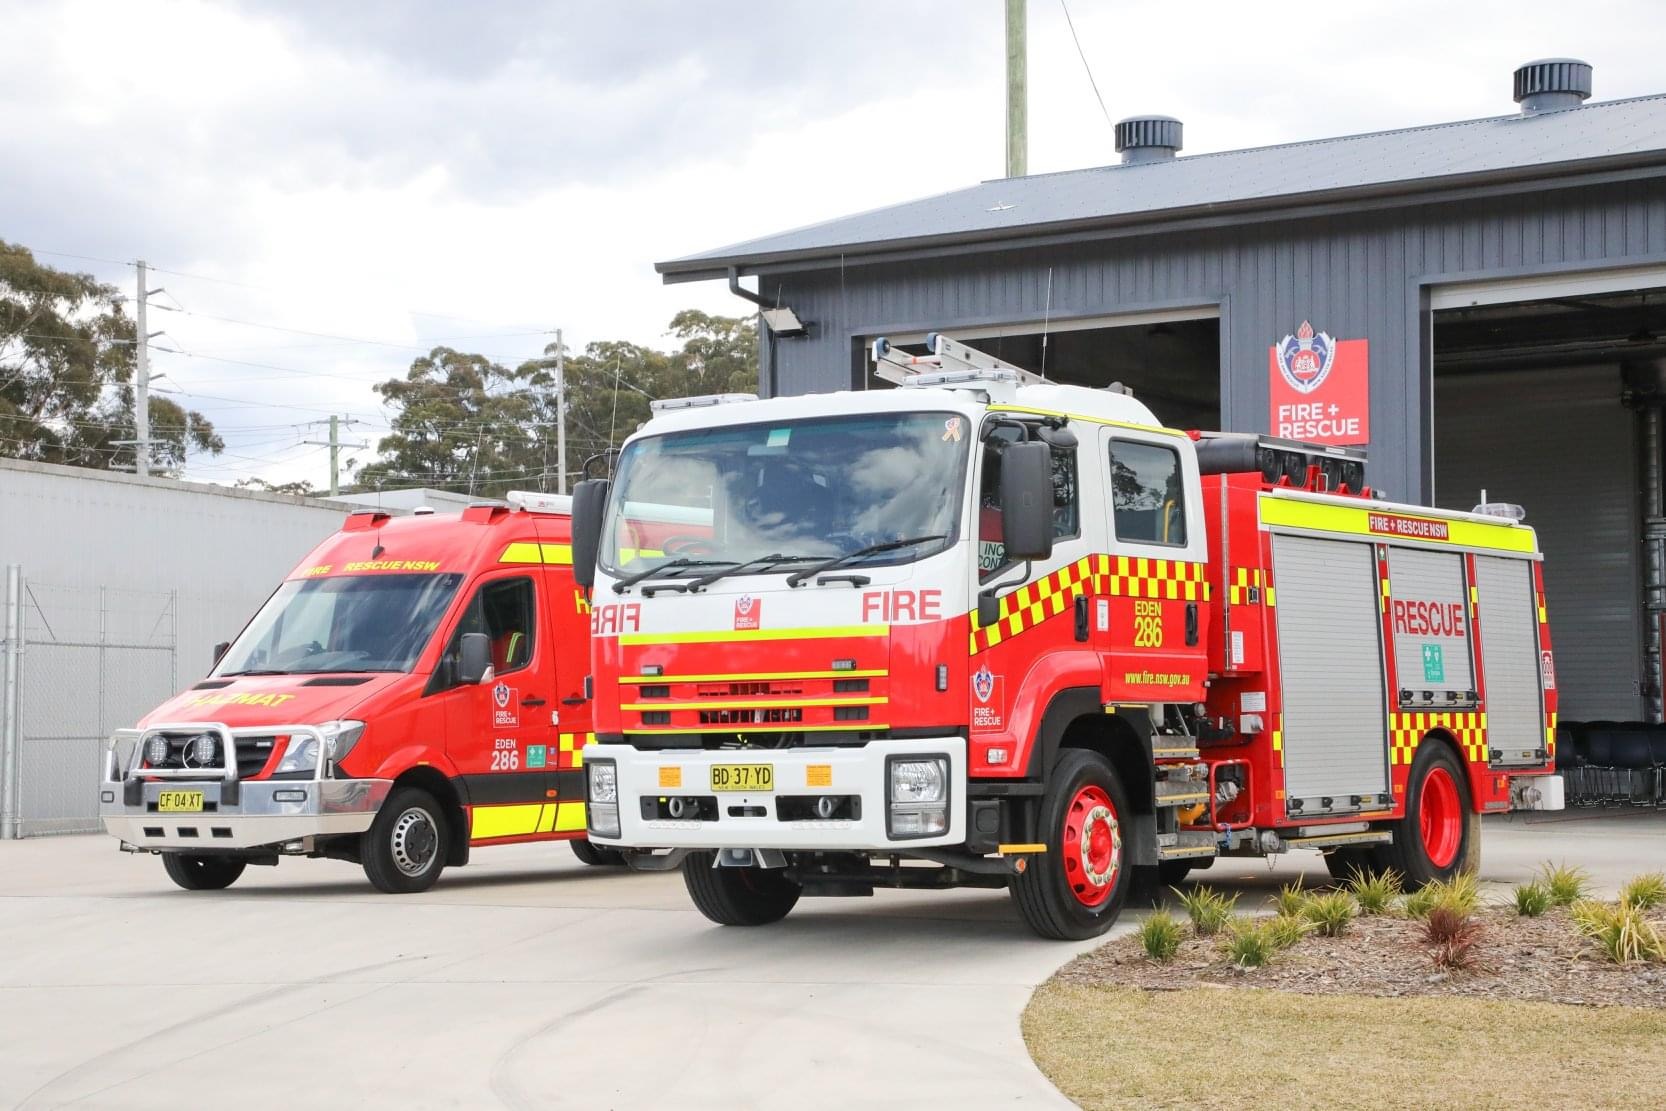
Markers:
point(1154, 599)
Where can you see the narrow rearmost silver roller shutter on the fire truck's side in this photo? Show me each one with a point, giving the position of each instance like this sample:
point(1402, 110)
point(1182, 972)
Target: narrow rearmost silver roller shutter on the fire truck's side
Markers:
point(1510, 660)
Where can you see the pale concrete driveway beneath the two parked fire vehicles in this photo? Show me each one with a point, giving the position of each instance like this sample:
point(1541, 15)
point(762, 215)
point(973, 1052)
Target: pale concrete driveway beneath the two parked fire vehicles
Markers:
point(532, 982)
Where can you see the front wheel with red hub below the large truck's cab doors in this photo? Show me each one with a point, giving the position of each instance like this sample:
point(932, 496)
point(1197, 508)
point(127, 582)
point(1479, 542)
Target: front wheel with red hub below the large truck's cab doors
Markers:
point(1079, 887)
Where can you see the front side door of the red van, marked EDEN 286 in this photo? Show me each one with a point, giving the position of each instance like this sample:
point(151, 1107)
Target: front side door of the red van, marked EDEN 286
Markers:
point(499, 732)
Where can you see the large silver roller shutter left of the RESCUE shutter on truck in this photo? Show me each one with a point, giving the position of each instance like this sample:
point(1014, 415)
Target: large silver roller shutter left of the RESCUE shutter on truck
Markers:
point(1330, 644)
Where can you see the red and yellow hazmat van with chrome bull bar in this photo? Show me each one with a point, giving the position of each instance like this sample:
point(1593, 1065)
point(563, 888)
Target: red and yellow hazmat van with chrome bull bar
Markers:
point(414, 690)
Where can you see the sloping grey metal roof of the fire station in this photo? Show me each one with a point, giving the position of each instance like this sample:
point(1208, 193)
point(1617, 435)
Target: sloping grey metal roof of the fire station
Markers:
point(1619, 134)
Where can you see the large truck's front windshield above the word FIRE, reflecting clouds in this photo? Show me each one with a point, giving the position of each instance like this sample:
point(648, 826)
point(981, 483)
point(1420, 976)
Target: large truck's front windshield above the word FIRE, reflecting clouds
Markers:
point(784, 494)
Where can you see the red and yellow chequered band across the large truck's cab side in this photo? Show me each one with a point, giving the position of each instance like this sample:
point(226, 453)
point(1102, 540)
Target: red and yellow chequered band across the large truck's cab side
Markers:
point(1102, 575)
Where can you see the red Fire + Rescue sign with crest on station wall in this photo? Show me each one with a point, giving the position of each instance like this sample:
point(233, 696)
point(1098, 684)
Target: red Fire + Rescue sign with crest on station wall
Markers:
point(1320, 389)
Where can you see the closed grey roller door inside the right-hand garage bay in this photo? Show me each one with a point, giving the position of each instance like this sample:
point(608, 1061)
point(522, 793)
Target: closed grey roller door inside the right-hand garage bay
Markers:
point(1562, 446)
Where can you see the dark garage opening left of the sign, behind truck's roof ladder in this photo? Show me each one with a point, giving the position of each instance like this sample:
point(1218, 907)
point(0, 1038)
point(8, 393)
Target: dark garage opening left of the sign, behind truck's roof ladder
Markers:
point(1174, 366)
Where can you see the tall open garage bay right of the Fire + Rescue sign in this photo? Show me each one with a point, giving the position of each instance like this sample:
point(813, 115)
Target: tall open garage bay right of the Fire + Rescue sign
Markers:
point(1555, 406)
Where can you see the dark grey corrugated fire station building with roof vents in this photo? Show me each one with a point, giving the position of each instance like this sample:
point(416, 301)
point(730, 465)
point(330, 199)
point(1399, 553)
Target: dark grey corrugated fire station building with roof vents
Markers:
point(1482, 306)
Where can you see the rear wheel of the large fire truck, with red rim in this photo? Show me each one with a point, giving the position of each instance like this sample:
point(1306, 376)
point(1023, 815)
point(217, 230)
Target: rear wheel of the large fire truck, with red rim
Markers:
point(1440, 834)
